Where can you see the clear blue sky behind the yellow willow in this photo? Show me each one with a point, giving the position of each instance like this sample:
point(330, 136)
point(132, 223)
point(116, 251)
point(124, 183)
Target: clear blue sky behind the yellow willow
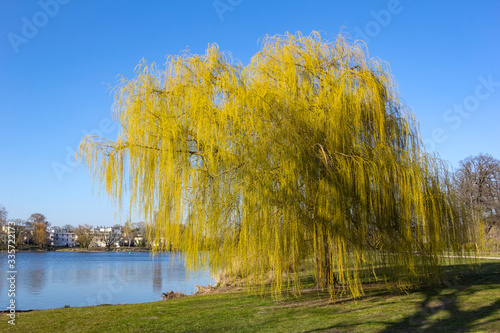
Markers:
point(58, 61)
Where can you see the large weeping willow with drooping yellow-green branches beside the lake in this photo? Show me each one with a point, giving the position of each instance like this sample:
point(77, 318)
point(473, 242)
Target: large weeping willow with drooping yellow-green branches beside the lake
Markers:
point(305, 158)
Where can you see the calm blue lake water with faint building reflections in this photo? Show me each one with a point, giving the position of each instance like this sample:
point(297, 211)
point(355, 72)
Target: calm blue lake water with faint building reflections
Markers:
point(47, 280)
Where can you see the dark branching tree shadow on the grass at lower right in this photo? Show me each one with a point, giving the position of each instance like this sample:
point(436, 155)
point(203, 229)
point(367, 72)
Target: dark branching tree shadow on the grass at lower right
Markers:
point(444, 302)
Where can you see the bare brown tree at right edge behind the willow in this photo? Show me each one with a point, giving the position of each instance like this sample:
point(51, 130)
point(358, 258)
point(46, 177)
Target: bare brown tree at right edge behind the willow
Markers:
point(477, 184)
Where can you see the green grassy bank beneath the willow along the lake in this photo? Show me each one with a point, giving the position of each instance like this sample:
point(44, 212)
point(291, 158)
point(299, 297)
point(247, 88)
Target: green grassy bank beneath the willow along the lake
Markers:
point(470, 304)
